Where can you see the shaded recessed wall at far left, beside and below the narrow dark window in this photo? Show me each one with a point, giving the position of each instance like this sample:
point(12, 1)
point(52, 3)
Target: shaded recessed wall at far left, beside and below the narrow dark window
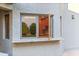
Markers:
point(5, 44)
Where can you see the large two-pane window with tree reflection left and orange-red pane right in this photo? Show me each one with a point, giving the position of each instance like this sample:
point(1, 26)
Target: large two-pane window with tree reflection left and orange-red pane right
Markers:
point(35, 26)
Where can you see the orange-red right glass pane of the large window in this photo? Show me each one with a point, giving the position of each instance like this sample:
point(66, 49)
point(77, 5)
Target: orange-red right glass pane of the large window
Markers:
point(43, 26)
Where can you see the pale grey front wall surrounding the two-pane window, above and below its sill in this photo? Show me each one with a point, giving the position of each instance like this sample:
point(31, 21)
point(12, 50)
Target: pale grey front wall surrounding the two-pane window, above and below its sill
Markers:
point(36, 8)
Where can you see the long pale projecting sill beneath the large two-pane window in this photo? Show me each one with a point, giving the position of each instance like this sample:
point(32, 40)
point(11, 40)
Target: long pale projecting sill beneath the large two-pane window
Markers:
point(26, 40)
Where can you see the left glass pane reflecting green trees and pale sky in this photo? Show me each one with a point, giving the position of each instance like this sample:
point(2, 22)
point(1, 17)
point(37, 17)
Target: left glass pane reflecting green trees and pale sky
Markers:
point(28, 26)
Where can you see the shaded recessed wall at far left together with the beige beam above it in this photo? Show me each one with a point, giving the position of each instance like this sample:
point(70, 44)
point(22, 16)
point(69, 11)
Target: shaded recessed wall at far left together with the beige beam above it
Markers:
point(5, 44)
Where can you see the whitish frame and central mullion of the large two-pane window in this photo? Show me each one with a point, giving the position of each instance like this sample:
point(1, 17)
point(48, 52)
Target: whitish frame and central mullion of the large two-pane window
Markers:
point(37, 26)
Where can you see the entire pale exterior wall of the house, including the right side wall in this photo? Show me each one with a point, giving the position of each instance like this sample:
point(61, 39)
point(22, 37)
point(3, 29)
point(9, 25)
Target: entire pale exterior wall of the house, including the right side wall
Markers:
point(70, 29)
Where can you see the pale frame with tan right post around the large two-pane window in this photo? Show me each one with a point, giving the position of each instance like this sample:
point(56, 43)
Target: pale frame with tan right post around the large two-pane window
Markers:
point(37, 25)
